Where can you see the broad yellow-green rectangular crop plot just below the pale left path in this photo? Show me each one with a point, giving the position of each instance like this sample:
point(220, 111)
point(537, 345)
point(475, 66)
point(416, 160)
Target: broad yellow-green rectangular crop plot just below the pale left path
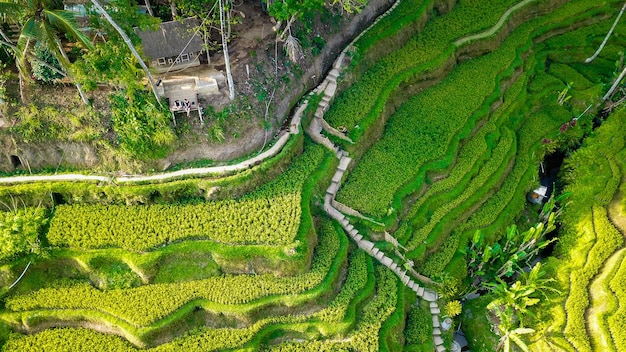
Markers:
point(269, 216)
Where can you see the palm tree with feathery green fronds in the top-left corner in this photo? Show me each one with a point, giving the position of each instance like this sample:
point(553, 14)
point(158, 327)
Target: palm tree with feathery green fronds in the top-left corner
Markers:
point(40, 22)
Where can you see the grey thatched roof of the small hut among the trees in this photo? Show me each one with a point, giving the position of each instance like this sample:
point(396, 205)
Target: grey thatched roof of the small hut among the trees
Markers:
point(170, 39)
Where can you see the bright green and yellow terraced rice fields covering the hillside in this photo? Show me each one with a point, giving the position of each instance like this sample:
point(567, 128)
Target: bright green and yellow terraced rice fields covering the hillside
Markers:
point(452, 106)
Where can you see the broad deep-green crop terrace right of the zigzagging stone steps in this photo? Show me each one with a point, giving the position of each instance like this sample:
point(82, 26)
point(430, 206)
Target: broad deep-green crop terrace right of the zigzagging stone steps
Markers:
point(421, 131)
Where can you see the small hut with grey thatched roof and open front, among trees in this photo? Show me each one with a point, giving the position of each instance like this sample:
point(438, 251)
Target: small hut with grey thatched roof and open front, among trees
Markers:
point(173, 46)
